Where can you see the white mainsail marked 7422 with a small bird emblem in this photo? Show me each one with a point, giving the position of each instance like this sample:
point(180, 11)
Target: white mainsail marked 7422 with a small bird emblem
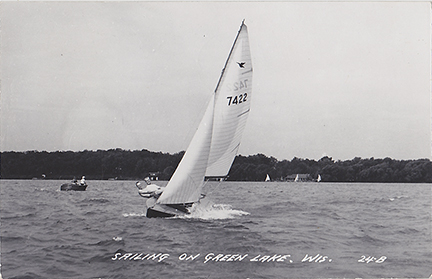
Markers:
point(232, 105)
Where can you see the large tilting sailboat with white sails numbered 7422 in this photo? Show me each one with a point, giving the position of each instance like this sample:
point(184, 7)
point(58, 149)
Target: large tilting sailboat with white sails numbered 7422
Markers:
point(214, 146)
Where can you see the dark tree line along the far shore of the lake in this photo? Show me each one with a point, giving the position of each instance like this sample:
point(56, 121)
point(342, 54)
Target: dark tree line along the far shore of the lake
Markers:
point(126, 164)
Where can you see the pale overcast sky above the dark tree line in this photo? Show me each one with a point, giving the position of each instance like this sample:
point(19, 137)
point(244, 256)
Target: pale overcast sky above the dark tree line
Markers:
point(330, 78)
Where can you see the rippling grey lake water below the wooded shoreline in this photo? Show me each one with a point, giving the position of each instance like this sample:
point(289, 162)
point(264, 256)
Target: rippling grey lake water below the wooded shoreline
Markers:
point(254, 230)
